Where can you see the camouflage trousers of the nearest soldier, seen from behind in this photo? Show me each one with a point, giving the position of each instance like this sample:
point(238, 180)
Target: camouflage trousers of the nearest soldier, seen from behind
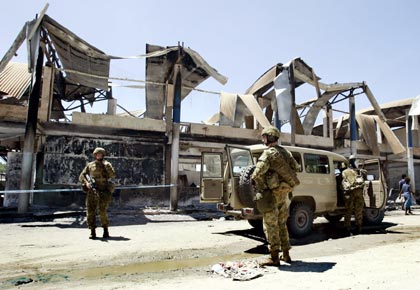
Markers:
point(274, 222)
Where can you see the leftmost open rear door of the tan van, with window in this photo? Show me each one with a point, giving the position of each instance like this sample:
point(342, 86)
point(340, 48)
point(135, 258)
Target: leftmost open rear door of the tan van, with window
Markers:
point(211, 177)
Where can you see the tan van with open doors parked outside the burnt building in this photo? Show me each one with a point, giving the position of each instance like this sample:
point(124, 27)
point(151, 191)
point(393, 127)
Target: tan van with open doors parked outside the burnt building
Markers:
point(319, 192)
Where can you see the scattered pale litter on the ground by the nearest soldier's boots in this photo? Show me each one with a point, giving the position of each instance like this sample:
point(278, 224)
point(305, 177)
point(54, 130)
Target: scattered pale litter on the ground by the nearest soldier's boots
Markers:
point(238, 271)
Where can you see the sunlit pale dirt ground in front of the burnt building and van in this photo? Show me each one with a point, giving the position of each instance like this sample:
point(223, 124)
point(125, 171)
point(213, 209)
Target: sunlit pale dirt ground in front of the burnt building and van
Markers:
point(157, 249)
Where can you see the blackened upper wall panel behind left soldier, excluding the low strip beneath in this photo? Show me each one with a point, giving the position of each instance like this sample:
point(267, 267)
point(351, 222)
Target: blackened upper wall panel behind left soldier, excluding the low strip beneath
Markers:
point(135, 162)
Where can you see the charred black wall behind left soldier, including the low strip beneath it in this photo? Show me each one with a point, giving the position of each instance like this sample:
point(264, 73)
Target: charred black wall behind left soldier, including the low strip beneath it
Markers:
point(136, 163)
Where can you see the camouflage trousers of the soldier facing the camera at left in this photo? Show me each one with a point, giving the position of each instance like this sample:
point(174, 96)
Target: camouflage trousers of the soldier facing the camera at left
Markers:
point(98, 202)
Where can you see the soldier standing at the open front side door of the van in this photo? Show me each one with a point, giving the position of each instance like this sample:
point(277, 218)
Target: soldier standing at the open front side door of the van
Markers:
point(354, 197)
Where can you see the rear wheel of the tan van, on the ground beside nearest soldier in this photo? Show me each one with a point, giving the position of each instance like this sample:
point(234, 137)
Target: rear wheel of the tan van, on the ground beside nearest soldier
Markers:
point(300, 220)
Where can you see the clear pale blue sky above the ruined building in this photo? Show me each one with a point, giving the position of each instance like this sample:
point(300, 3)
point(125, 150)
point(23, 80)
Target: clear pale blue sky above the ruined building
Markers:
point(344, 41)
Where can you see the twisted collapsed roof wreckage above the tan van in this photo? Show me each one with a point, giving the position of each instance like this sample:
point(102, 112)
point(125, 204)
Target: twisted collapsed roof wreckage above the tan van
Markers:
point(275, 93)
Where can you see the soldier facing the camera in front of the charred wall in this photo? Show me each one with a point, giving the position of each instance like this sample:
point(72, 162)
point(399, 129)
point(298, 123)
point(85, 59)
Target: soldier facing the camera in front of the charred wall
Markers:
point(99, 197)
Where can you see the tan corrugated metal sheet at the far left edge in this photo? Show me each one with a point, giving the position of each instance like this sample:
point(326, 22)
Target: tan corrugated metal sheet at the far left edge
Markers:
point(15, 79)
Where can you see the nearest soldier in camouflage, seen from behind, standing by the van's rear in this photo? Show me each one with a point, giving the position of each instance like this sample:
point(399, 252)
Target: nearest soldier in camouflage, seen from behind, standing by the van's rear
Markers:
point(275, 174)
